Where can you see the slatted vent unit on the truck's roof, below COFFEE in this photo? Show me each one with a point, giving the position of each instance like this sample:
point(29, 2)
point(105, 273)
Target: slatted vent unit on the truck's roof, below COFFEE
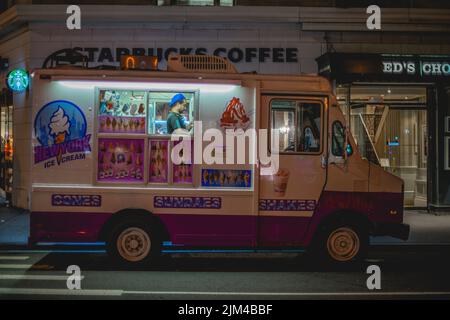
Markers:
point(199, 63)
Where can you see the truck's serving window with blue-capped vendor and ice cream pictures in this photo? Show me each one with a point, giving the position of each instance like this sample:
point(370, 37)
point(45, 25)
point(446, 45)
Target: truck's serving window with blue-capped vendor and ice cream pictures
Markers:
point(149, 117)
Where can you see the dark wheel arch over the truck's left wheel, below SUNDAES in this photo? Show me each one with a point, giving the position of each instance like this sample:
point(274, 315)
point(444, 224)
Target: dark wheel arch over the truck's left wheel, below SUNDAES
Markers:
point(132, 214)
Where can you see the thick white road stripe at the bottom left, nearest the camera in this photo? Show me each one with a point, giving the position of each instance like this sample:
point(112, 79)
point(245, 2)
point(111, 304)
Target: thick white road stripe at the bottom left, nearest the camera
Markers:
point(57, 292)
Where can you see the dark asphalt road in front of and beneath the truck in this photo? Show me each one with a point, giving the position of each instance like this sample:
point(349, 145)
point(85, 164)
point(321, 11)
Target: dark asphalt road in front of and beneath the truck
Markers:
point(409, 272)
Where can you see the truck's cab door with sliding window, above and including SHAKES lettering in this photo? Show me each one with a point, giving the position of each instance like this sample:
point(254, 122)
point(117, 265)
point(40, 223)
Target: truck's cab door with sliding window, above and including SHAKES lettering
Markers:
point(288, 198)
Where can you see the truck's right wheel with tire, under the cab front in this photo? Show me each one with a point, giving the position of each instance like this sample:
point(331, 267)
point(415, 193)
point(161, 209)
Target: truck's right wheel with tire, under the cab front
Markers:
point(340, 244)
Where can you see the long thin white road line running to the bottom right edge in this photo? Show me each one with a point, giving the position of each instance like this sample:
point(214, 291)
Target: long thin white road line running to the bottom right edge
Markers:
point(287, 293)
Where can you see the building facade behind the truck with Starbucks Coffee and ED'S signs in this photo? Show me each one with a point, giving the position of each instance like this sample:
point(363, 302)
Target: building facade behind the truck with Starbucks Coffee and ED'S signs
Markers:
point(399, 118)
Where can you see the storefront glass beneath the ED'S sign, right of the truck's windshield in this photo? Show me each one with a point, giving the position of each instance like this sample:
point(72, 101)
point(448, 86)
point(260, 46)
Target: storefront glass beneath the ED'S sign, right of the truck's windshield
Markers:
point(389, 124)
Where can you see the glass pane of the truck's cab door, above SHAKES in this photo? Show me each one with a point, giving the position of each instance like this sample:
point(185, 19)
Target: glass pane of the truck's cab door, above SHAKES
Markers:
point(299, 125)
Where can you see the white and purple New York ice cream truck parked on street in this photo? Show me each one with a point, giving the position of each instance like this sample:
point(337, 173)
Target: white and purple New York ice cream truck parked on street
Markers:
point(268, 166)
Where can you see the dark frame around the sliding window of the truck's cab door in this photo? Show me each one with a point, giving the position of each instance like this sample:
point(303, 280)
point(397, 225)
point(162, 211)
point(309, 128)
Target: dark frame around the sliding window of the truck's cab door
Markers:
point(320, 100)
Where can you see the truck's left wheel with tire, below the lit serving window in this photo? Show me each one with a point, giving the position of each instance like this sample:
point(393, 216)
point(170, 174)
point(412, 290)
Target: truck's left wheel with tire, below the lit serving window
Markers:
point(134, 243)
